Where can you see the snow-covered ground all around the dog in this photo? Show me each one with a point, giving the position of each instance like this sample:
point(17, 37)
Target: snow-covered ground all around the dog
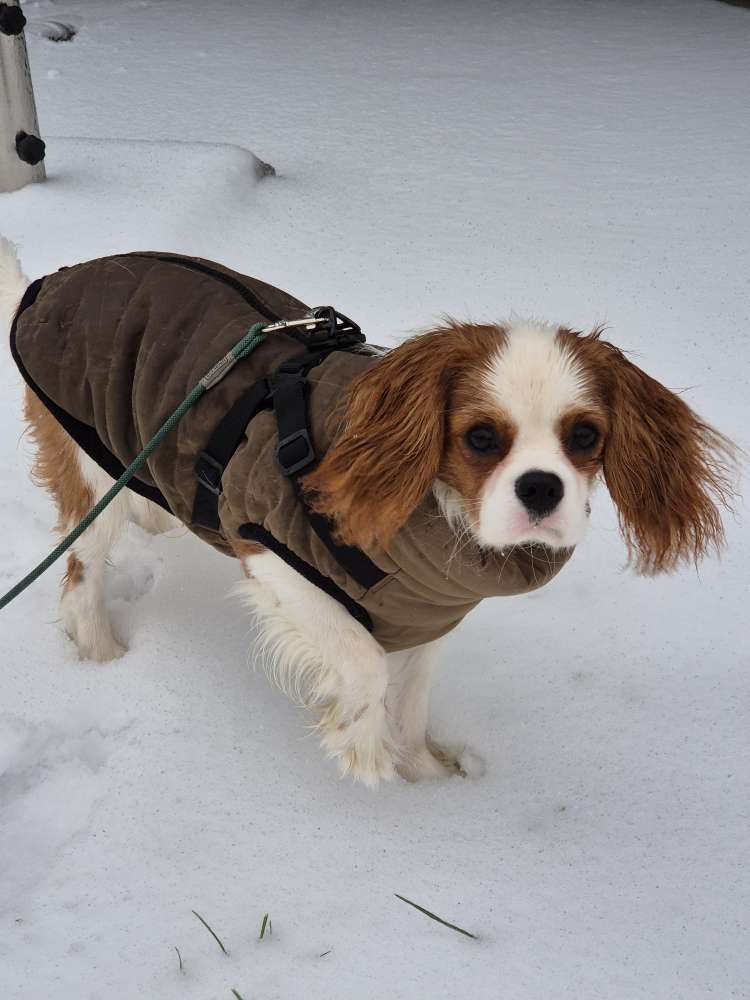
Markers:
point(581, 161)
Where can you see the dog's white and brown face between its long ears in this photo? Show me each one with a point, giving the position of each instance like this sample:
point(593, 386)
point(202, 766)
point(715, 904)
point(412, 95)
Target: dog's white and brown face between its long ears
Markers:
point(525, 435)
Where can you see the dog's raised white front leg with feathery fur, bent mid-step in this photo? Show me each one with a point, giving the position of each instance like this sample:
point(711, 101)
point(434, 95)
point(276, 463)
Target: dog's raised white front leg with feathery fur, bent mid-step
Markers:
point(318, 653)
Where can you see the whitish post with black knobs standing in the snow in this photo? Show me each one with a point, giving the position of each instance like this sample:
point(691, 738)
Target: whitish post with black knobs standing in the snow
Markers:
point(21, 149)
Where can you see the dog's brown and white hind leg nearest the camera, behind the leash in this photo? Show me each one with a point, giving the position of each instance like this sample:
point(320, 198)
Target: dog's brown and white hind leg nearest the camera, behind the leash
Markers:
point(76, 484)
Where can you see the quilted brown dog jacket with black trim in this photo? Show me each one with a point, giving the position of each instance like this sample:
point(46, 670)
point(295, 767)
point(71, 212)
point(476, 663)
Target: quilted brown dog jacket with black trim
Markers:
point(113, 346)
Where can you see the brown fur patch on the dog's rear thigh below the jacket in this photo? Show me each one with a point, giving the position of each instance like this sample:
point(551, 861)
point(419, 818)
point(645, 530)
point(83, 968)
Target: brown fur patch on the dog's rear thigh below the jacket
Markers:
point(56, 466)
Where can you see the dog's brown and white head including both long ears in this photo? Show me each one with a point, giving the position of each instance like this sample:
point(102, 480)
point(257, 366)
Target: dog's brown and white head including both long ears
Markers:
point(510, 425)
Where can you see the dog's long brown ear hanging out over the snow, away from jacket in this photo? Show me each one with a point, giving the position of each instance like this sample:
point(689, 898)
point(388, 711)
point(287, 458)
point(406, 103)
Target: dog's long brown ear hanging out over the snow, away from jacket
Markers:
point(667, 471)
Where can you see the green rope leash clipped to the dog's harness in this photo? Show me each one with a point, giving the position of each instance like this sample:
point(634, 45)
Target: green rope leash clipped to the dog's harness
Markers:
point(252, 339)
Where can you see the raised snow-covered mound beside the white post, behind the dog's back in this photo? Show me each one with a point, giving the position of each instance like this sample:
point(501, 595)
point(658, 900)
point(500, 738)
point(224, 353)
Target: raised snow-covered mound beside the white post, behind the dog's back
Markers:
point(109, 196)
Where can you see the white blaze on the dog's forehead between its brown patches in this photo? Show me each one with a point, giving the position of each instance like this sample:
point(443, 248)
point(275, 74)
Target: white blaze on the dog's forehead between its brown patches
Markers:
point(534, 378)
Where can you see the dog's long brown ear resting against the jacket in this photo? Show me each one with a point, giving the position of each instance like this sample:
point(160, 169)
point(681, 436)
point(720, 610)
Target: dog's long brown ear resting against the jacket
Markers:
point(389, 450)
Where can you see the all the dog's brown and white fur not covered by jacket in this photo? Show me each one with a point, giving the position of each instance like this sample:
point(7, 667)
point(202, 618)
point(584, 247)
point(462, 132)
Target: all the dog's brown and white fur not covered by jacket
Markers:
point(510, 426)
